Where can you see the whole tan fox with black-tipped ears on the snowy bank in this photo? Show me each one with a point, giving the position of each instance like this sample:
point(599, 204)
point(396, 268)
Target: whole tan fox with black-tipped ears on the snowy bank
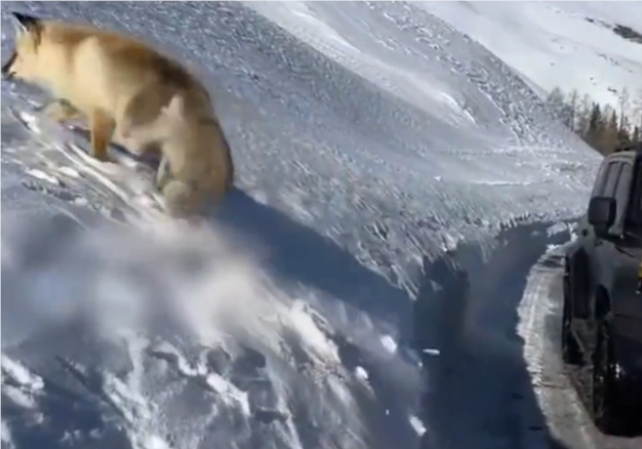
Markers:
point(119, 83)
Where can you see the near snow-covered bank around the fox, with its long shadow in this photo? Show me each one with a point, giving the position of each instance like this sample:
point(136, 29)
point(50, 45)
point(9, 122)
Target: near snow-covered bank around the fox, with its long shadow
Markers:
point(396, 183)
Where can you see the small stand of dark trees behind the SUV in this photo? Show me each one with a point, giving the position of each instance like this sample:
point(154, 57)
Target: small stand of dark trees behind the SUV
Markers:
point(602, 126)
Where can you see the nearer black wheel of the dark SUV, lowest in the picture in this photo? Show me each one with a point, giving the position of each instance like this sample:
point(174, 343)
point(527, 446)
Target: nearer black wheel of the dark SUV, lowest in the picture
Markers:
point(610, 413)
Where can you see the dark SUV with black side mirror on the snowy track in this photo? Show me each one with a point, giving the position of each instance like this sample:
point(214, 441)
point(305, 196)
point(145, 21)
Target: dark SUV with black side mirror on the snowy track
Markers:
point(602, 314)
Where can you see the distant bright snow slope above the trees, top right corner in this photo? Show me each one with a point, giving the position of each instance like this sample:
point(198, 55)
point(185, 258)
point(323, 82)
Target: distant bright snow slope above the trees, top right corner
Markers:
point(557, 44)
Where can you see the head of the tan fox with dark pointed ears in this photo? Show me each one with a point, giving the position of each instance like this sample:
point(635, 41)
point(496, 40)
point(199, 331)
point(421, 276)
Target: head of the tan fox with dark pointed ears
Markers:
point(24, 62)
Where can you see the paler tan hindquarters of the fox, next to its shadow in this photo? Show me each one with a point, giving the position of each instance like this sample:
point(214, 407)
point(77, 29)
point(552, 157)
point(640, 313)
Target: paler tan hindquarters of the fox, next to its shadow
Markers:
point(196, 163)
